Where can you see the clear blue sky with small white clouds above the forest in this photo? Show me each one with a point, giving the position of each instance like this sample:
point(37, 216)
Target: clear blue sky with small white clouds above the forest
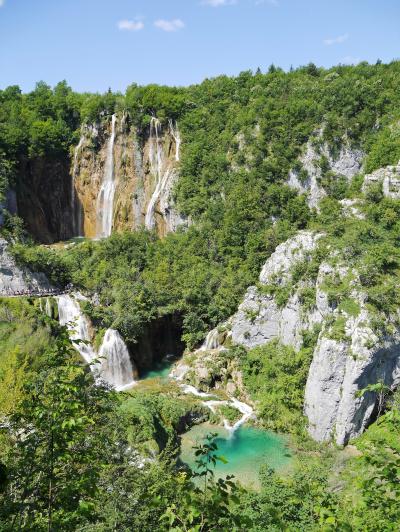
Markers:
point(96, 44)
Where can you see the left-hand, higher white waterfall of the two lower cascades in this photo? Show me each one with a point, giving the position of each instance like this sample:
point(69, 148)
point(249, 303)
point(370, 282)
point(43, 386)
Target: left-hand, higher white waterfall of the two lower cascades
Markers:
point(70, 314)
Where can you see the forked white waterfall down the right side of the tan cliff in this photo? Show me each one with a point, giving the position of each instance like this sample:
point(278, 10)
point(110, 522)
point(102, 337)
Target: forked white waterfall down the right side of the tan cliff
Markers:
point(160, 167)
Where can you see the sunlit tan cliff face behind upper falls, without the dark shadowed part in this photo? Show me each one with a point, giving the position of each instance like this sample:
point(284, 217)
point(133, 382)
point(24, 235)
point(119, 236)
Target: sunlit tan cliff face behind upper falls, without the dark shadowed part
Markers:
point(144, 170)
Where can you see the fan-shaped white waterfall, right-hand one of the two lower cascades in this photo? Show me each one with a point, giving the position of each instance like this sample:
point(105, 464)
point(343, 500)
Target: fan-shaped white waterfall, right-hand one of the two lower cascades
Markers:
point(115, 363)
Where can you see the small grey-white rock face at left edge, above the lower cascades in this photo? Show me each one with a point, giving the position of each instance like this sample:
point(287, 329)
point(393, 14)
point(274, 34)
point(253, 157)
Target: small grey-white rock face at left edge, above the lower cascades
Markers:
point(15, 280)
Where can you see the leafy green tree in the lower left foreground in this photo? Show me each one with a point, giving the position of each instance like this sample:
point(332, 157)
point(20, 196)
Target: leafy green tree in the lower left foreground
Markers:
point(61, 435)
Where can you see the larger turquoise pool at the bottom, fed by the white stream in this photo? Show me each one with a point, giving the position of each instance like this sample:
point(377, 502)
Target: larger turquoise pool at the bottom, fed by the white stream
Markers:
point(246, 451)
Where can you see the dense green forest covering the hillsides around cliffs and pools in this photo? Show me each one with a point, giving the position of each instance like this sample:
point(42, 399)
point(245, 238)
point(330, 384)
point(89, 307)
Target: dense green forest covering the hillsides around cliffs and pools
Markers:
point(70, 460)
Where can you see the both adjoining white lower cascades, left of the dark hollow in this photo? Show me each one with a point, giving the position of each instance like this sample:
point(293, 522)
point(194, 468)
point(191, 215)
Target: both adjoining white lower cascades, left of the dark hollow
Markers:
point(114, 365)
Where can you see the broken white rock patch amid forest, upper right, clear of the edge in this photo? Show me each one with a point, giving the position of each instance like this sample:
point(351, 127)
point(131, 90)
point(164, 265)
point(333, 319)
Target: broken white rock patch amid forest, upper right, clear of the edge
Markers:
point(346, 164)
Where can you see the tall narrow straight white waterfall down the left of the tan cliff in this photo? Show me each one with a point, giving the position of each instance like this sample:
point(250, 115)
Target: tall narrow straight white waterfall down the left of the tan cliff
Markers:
point(105, 200)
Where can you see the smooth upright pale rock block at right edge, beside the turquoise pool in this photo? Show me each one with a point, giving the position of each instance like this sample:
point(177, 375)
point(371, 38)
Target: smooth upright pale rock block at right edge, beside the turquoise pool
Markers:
point(338, 370)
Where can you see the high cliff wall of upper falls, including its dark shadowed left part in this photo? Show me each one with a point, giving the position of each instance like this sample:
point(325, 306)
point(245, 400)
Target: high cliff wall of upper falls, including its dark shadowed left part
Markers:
point(61, 197)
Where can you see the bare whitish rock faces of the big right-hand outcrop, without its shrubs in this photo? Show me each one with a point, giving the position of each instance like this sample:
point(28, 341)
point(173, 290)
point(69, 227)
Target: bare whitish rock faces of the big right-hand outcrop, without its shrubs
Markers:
point(343, 363)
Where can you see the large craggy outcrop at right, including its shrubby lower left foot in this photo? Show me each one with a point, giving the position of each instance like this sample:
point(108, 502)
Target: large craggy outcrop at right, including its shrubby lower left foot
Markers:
point(348, 355)
